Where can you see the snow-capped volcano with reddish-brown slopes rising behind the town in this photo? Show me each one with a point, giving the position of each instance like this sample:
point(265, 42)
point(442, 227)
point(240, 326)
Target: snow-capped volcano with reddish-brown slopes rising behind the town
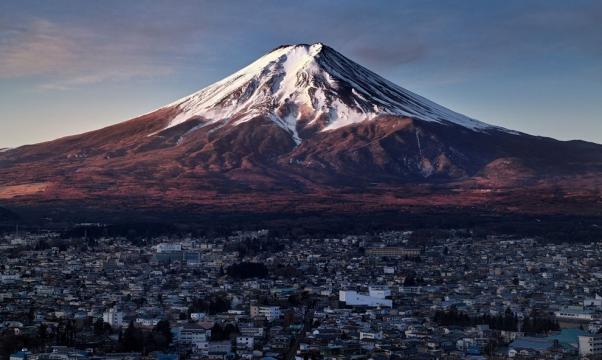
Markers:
point(304, 128)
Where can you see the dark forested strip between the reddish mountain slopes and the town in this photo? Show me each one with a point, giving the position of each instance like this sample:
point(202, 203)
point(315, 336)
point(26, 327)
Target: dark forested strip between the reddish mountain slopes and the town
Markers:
point(156, 222)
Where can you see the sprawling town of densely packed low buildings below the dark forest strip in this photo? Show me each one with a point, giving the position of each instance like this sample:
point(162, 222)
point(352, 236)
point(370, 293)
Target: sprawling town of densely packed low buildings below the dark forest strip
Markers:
point(253, 294)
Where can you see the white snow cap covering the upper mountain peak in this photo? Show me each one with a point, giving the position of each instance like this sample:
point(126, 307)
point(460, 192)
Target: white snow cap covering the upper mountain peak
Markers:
point(313, 83)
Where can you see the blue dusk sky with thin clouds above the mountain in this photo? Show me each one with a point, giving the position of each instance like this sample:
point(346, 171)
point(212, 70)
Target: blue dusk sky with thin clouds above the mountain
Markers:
point(72, 66)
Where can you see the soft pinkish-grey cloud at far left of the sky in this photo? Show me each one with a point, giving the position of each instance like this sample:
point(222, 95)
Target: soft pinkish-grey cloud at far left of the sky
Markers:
point(63, 57)
